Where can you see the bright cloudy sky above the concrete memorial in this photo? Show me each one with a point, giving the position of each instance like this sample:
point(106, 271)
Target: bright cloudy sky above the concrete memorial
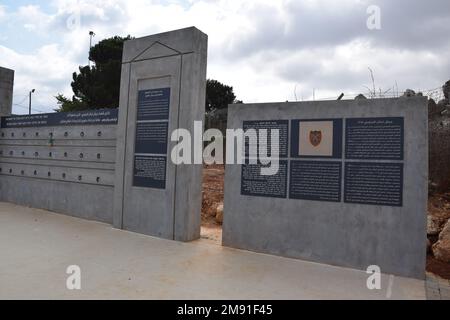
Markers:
point(268, 50)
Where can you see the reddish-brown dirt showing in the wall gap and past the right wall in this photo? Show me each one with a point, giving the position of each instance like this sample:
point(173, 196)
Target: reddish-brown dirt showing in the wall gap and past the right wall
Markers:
point(213, 193)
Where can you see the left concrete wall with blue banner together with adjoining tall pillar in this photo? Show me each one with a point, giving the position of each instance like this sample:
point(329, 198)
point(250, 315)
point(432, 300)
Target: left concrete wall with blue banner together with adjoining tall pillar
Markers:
point(114, 165)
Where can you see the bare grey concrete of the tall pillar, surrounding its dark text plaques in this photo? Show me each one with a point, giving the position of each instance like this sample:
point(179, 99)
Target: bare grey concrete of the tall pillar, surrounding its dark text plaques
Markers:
point(177, 60)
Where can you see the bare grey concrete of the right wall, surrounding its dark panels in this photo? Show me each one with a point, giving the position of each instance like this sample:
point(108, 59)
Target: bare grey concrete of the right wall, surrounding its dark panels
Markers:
point(343, 234)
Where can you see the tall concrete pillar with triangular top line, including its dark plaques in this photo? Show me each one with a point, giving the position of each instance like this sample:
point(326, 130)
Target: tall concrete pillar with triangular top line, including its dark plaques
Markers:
point(163, 88)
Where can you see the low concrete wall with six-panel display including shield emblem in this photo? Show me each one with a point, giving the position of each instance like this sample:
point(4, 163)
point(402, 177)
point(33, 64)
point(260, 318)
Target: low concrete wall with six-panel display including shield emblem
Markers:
point(351, 188)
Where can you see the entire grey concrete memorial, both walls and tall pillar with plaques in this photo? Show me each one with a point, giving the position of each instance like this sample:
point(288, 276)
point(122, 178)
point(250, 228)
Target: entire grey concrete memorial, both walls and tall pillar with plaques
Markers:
point(350, 189)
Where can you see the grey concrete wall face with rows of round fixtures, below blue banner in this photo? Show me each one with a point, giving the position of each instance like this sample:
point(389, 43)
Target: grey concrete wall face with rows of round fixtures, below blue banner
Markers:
point(74, 175)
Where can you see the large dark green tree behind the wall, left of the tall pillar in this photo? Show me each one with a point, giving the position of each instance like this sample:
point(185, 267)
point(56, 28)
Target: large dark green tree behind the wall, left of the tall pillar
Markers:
point(97, 87)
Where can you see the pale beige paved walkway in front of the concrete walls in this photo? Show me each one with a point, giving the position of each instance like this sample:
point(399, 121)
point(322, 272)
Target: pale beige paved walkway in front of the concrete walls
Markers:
point(37, 246)
